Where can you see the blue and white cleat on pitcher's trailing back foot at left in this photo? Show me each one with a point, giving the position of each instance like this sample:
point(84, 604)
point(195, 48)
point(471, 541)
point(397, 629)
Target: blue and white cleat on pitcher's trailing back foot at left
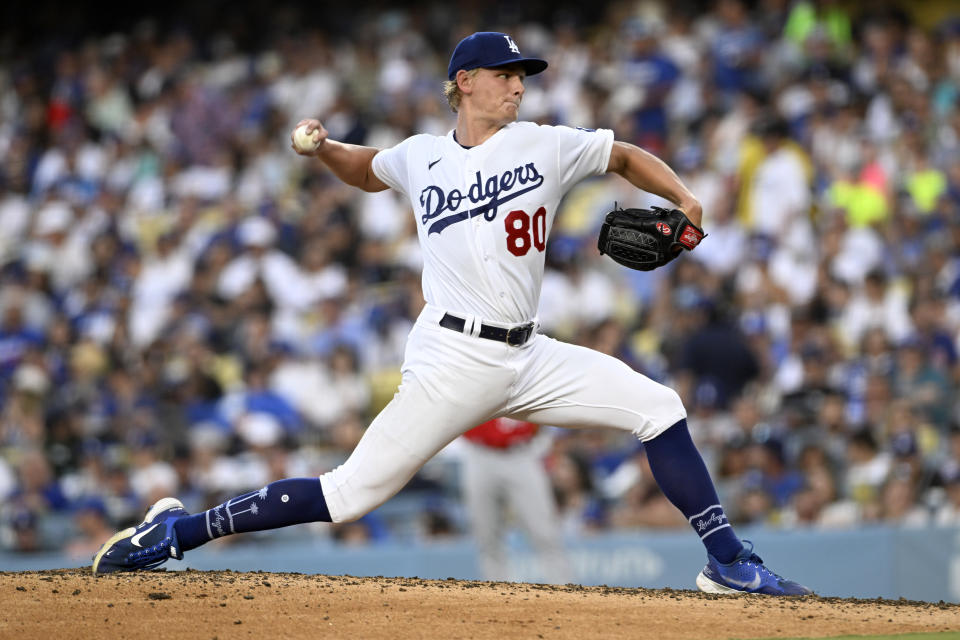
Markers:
point(146, 546)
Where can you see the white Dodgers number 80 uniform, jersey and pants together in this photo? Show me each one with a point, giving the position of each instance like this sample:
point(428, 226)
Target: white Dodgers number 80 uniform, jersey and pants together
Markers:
point(483, 215)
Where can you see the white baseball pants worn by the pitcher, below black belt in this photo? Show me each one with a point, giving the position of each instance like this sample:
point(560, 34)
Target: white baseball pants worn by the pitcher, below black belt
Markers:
point(452, 382)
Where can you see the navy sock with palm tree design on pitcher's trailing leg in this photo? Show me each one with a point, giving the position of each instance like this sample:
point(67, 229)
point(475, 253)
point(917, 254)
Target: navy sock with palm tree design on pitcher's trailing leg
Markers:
point(279, 504)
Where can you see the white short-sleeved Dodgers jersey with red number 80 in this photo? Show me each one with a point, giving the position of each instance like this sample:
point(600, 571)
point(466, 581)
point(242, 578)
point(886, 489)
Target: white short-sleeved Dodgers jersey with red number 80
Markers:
point(484, 213)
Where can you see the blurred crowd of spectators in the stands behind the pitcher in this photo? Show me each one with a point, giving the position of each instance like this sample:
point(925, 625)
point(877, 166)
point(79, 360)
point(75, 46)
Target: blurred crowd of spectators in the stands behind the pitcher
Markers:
point(189, 308)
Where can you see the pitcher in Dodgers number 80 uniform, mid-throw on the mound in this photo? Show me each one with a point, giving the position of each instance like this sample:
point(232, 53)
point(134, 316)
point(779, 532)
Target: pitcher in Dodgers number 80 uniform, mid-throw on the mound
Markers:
point(485, 196)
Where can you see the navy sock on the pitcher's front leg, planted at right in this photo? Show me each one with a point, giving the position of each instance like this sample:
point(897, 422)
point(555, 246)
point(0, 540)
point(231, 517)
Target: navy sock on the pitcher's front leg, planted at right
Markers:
point(683, 477)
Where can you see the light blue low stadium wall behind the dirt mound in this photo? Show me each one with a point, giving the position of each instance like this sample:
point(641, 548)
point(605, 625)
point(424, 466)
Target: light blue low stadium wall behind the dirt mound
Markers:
point(879, 562)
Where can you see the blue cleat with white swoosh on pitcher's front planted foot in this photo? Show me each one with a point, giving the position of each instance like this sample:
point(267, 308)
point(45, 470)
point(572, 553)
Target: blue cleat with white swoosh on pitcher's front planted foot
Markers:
point(746, 574)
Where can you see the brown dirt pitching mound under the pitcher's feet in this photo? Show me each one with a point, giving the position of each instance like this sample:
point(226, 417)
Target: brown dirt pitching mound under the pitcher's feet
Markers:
point(224, 604)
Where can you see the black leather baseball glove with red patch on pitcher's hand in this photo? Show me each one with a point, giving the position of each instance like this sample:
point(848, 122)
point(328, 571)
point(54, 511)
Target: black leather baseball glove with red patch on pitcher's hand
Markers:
point(645, 239)
